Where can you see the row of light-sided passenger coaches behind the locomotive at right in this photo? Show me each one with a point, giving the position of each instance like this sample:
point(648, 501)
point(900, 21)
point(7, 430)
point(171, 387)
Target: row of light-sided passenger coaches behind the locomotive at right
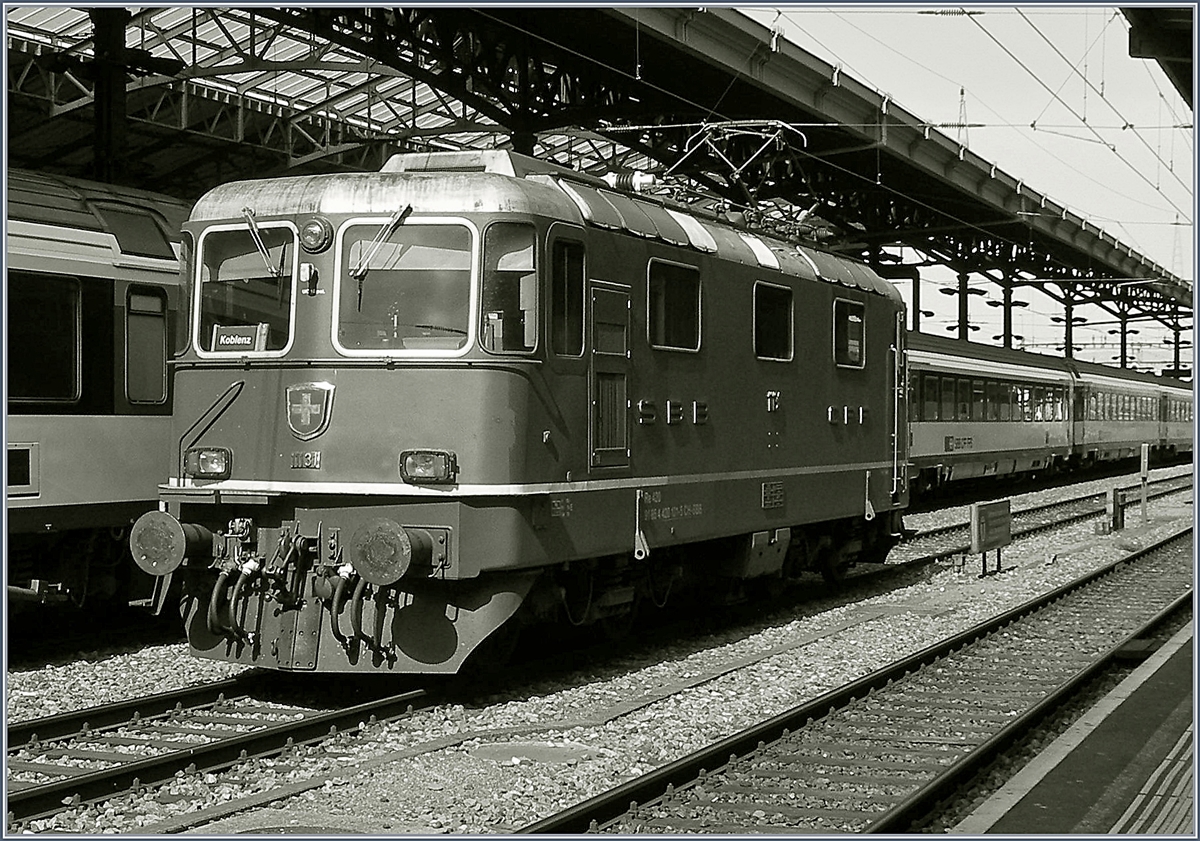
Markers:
point(979, 412)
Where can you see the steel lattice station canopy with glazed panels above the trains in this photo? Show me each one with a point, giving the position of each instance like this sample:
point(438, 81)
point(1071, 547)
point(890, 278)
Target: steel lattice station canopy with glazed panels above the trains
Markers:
point(217, 94)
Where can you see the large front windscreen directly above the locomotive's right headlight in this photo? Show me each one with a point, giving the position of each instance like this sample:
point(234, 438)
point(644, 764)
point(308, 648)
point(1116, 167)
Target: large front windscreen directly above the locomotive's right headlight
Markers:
point(405, 291)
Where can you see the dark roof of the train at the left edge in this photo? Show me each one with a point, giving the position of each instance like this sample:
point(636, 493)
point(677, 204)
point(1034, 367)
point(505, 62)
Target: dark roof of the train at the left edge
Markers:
point(74, 203)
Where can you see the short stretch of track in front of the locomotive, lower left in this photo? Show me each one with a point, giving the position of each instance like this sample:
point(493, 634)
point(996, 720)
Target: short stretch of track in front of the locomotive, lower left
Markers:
point(86, 756)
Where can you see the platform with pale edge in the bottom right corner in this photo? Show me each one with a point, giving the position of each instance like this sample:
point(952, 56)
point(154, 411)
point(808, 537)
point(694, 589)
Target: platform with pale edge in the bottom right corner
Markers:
point(1126, 767)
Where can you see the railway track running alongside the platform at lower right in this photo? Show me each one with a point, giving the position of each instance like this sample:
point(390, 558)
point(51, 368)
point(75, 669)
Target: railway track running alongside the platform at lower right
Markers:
point(877, 755)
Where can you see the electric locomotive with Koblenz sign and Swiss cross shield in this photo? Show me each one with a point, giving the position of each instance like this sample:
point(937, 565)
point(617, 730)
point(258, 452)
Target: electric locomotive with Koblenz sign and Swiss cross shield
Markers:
point(476, 391)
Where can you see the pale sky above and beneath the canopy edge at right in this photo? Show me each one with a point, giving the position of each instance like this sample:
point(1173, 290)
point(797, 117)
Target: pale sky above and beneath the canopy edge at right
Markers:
point(1052, 97)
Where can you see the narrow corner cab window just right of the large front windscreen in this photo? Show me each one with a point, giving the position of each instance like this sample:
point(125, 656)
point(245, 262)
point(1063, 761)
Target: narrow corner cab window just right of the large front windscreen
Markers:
point(511, 290)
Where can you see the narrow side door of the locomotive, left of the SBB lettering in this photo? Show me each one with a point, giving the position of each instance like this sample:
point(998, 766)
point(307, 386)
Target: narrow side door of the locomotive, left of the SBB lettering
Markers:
point(609, 379)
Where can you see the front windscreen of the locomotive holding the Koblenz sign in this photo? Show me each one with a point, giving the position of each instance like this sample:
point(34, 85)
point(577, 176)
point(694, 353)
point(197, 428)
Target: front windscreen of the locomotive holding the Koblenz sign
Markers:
point(247, 293)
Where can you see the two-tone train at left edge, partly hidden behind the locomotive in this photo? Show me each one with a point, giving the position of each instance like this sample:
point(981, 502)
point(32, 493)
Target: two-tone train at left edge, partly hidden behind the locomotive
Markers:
point(93, 283)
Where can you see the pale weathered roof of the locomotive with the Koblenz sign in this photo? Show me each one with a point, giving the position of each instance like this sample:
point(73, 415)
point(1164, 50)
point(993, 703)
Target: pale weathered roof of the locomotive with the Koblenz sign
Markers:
point(502, 182)
